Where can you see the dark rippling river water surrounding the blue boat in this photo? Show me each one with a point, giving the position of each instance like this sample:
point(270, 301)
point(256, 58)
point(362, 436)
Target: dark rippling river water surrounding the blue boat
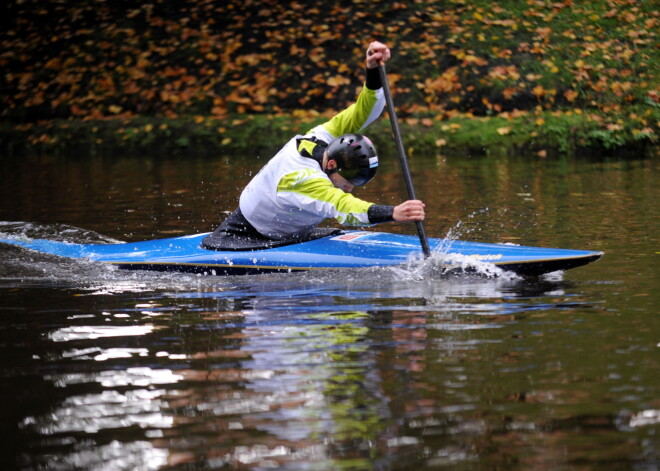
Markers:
point(102, 369)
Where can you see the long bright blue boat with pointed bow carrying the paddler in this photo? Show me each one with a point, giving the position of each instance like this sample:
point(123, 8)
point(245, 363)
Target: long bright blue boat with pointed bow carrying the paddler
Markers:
point(350, 249)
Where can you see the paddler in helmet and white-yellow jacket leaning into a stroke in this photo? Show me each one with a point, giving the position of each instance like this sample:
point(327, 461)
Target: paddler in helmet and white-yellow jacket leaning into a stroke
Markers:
point(312, 176)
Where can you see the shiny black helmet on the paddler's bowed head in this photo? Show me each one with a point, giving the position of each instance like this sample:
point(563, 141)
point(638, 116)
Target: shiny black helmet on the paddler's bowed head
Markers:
point(356, 158)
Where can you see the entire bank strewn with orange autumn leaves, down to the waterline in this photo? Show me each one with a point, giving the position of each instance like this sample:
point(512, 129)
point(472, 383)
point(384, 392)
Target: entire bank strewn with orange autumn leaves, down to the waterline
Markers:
point(178, 74)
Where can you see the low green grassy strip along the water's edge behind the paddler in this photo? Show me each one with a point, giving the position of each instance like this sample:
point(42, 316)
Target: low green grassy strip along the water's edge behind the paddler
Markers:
point(539, 133)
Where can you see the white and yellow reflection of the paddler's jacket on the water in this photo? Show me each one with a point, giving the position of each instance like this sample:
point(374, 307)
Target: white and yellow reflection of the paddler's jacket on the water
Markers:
point(305, 384)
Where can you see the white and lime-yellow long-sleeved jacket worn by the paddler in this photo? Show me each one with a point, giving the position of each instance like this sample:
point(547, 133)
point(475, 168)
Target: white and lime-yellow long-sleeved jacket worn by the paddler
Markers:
point(292, 194)
